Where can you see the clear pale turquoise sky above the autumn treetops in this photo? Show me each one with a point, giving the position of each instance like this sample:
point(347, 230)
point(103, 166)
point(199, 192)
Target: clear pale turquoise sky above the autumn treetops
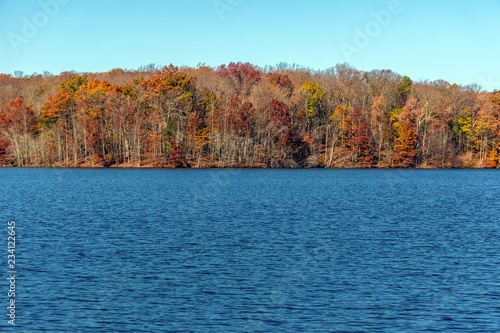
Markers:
point(454, 40)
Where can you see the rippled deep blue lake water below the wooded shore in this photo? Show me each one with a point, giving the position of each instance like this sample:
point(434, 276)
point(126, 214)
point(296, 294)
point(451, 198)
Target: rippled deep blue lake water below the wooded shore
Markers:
point(108, 250)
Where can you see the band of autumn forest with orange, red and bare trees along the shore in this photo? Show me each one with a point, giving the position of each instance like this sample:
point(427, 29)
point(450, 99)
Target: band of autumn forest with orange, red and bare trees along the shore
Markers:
point(242, 116)
